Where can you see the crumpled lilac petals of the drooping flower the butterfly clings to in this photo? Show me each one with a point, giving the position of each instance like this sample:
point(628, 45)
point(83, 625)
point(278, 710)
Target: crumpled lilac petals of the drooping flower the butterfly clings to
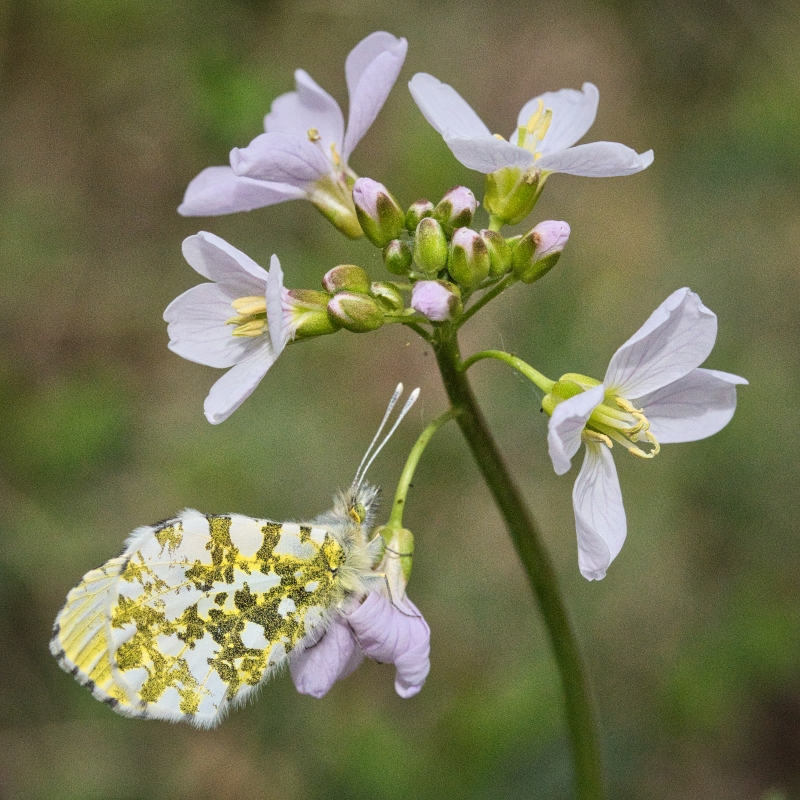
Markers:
point(390, 633)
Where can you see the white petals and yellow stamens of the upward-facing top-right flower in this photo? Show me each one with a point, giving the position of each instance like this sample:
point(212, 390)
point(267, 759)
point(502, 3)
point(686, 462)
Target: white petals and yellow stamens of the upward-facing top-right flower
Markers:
point(547, 128)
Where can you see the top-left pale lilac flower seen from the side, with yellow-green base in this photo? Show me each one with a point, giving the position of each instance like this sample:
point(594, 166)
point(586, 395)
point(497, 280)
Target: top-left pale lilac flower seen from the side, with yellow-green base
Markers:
point(305, 150)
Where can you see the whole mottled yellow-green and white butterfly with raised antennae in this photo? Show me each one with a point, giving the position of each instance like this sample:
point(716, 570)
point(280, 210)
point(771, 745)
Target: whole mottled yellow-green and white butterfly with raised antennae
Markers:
point(200, 610)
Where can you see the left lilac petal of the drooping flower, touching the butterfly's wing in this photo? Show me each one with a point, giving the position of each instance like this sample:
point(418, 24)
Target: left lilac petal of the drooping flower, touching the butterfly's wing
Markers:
point(335, 656)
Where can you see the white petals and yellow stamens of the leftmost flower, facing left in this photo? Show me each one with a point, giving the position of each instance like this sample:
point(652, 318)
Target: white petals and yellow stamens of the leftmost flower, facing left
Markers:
point(238, 321)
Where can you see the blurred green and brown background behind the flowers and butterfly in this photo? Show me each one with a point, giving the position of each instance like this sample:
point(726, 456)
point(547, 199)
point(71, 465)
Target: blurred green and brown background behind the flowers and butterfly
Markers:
point(109, 107)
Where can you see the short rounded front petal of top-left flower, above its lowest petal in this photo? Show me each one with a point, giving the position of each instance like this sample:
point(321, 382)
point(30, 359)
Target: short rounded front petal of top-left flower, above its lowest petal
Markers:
point(281, 158)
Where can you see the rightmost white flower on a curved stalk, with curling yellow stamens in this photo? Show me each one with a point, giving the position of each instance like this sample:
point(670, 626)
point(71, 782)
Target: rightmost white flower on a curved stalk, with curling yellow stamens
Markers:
point(652, 394)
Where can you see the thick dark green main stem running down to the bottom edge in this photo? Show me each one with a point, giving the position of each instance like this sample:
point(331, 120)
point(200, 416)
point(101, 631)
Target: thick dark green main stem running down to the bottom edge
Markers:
point(541, 573)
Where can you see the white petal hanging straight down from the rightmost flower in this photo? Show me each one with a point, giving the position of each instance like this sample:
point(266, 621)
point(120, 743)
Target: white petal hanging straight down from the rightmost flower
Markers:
point(599, 514)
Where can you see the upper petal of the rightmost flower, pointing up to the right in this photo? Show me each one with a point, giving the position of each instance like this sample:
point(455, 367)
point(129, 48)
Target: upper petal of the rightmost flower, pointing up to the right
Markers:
point(676, 339)
